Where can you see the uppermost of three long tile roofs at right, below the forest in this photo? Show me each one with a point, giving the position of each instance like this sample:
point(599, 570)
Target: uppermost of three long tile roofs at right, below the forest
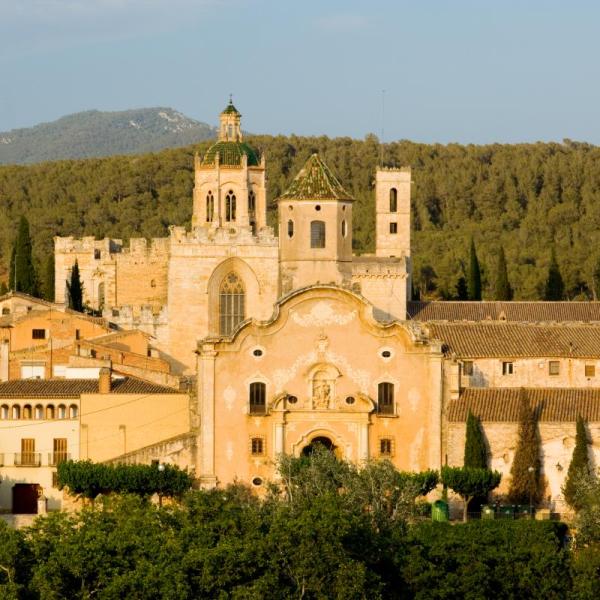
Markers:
point(504, 311)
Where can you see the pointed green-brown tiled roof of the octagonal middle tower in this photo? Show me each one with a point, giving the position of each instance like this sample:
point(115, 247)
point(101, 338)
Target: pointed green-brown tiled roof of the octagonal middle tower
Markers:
point(315, 181)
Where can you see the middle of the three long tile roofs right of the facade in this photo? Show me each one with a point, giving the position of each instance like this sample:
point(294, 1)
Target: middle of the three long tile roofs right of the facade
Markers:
point(514, 340)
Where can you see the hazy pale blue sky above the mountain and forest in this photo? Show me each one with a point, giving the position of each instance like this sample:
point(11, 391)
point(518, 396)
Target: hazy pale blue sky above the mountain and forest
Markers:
point(466, 71)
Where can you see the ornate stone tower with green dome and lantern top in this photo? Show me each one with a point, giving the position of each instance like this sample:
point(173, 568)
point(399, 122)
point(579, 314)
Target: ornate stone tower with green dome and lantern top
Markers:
point(229, 184)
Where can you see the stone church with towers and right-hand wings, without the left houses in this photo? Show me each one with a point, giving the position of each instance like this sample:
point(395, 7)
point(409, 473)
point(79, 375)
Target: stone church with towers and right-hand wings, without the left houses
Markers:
point(294, 340)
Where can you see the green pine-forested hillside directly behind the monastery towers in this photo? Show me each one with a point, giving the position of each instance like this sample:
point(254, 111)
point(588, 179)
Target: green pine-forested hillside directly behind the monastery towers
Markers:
point(527, 198)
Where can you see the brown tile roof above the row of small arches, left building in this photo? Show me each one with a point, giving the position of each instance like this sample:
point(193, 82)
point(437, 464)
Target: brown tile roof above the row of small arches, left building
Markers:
point(74, 388)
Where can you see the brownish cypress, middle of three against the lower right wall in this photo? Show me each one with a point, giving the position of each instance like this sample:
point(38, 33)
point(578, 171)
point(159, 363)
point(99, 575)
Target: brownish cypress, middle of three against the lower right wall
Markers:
point(526, 485)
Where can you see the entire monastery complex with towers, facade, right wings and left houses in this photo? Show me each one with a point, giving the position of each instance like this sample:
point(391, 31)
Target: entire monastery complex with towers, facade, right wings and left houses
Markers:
point(229, 343)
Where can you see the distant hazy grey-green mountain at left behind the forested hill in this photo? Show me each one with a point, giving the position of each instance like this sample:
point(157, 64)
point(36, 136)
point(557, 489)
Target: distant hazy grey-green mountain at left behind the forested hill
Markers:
point(96, 133)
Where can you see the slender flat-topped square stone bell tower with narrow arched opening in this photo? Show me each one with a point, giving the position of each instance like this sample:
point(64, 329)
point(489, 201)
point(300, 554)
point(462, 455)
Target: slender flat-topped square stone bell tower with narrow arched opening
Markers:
point(392, 212)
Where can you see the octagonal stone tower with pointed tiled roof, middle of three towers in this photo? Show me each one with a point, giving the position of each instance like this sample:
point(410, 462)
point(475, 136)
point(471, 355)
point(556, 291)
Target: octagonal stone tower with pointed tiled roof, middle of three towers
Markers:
point(315, 229)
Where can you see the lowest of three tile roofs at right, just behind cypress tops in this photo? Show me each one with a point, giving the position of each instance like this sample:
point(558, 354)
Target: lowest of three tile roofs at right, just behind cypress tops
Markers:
point(502, 404)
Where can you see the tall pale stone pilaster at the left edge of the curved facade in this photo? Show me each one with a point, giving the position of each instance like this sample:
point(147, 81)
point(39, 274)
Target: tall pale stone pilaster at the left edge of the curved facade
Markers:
point(206, 410)
